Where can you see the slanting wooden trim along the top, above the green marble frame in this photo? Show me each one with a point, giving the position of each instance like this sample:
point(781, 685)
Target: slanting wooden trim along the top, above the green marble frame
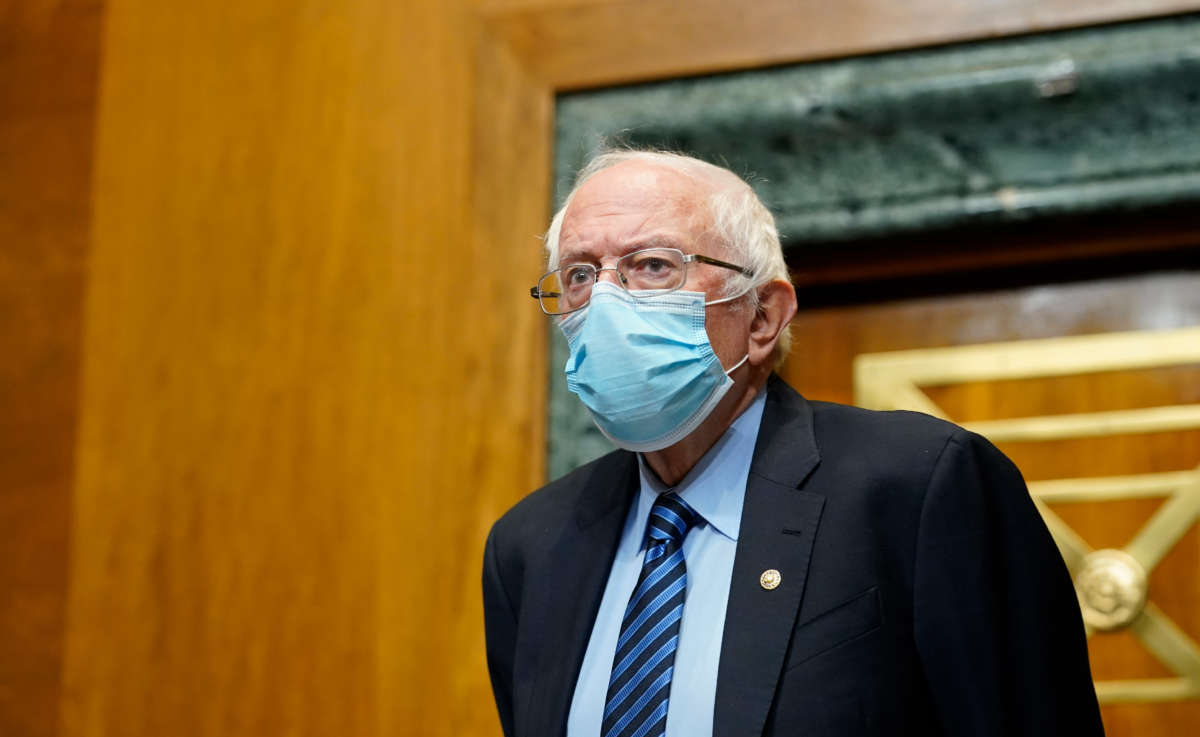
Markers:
point(574, 44)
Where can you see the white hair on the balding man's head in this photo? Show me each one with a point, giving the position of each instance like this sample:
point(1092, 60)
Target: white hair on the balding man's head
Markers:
point(743, 226)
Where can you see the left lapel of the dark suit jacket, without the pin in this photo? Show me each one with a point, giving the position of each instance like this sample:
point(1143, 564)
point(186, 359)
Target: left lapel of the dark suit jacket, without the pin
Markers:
point(572, 589)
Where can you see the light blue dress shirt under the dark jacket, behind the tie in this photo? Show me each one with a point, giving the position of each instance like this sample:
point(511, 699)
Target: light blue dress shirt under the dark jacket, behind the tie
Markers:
point(716, 489)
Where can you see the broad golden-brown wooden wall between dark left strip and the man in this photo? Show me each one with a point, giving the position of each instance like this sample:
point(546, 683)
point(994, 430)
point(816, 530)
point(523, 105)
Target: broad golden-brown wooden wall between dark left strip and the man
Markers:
point(309, 388)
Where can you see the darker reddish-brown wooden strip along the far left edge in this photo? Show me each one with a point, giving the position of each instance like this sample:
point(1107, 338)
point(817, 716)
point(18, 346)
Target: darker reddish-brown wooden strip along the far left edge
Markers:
point(49, 57)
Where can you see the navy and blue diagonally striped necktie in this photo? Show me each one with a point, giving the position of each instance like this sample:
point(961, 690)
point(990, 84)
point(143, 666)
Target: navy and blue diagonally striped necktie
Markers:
point(641, 669)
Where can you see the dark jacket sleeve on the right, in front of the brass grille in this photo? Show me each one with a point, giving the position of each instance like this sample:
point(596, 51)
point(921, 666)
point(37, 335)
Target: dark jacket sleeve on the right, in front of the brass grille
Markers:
point(997, 622)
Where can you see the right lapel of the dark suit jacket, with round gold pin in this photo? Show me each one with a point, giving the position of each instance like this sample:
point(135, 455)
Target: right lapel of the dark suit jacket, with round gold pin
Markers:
point(779, 525)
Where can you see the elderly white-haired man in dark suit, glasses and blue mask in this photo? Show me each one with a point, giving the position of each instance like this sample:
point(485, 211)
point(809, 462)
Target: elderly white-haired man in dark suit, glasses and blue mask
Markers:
point(751, 562)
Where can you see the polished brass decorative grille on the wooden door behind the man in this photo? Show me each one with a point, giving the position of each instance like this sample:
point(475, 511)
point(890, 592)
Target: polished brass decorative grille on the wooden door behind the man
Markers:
point(1112, 584)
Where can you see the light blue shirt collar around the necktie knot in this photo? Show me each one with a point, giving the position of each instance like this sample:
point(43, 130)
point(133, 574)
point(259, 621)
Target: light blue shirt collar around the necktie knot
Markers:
point(717, 484)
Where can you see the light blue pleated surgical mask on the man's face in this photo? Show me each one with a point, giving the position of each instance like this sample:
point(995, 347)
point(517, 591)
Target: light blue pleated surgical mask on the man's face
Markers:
point(644, 368)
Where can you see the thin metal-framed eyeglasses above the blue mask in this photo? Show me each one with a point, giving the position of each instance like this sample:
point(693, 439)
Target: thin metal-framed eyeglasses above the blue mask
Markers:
point(569, 289)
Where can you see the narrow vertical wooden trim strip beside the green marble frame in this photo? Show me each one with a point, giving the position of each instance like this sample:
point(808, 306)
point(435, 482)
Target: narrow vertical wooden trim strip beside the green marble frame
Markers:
point(506, 365)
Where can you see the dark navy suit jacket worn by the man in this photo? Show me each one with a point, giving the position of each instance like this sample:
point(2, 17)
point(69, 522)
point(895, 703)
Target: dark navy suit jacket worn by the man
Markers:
point(921, 591)
